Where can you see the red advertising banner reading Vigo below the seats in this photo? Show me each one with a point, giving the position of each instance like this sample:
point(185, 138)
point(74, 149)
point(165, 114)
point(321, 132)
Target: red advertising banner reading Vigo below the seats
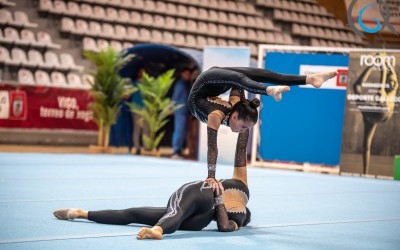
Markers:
point(45, 108)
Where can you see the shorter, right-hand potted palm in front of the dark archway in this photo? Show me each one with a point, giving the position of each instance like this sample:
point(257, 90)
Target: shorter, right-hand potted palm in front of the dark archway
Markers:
point(156, 109)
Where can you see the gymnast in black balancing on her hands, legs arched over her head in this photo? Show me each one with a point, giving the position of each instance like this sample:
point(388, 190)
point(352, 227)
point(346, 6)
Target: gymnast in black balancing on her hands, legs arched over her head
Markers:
point(238, 113)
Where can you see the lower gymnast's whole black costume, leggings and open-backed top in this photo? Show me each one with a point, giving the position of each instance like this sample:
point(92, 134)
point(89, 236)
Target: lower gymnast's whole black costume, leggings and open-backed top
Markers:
point(191, 207)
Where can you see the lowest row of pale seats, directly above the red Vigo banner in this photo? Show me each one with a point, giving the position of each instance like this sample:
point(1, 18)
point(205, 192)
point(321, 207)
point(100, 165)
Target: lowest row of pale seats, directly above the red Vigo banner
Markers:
point(54, 79)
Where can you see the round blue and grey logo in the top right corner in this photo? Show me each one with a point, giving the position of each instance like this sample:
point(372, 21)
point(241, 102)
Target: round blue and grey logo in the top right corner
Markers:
point(384, 11)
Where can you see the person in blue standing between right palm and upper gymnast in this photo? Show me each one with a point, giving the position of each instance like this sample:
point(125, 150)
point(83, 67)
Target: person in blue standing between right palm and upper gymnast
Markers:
point(180, 95)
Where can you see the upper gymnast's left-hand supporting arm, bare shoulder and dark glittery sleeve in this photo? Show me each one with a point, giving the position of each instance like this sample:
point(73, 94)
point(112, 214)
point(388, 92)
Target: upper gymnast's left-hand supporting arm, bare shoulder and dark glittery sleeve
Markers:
point(213, 123)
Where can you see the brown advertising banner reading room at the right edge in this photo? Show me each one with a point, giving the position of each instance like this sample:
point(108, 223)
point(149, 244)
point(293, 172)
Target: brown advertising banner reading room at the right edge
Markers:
point(371, 134)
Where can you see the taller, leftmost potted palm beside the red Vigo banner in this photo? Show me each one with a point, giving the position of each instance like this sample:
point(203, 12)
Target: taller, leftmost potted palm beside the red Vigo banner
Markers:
point(107, 92)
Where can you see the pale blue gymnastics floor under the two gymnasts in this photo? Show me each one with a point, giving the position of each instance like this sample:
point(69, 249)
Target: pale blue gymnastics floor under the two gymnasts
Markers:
point(290, 210)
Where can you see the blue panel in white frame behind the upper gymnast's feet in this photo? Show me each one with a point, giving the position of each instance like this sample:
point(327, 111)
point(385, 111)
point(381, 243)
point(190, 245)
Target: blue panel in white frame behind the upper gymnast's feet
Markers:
point(306, 126)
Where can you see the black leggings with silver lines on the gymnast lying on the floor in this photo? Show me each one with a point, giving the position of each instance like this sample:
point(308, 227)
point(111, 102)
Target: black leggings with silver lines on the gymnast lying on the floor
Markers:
point(189, 208)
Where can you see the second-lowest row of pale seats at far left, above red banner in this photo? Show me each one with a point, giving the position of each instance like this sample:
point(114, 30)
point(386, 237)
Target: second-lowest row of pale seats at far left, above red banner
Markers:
point(35, 59)
